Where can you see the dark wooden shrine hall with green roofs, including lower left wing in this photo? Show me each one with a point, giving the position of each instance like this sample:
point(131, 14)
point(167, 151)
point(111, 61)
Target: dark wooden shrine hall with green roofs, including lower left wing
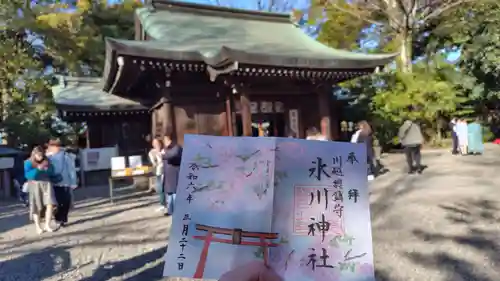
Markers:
point(211, 70)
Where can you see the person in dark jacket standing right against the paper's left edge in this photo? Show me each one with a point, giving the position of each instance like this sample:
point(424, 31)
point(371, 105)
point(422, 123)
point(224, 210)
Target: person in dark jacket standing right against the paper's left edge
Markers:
point(172, 155)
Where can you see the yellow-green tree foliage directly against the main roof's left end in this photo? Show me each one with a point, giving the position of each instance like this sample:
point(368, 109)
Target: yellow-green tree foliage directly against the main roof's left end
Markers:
point(75, 39)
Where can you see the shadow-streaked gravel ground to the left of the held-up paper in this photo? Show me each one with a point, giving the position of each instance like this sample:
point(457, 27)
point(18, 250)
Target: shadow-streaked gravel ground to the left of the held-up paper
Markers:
point(123, 241)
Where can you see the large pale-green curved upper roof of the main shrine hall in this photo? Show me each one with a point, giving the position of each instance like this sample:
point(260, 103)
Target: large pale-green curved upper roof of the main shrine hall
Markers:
point(217, 36)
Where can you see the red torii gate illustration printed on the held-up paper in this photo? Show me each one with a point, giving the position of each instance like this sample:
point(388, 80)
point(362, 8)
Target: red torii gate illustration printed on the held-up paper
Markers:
point(237, 234)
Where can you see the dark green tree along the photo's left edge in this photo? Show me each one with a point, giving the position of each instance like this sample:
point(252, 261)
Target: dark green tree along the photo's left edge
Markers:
point(22, 81)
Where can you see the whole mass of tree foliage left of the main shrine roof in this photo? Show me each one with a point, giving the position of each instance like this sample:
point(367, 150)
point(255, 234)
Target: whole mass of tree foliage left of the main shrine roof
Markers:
point(69, 37)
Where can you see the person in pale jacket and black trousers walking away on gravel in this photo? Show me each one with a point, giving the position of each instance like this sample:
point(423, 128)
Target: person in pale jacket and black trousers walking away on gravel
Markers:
point(411, 138)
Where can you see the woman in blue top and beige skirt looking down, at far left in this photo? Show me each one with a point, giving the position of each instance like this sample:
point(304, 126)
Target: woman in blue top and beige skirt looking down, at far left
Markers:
point(38, 170)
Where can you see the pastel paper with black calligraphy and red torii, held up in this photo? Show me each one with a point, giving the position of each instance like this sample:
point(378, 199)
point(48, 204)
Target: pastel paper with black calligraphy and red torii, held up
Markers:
point(300, 207)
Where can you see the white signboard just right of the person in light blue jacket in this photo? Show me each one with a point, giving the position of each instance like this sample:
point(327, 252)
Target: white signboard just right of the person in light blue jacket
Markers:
point(95, 159)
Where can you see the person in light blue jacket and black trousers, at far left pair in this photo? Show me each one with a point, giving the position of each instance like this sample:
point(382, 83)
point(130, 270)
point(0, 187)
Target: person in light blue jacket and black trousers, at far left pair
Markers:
point(63, 181)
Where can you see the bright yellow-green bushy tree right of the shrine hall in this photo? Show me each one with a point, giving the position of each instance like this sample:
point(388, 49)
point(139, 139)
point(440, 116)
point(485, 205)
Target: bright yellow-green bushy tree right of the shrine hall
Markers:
point(431, 88)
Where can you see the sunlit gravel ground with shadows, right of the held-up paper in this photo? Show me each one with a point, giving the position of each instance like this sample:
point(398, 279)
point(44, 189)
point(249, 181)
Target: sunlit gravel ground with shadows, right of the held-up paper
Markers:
point(443, 225)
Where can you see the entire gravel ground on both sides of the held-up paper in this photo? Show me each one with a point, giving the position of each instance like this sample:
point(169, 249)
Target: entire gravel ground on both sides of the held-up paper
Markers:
point(443, 225)
